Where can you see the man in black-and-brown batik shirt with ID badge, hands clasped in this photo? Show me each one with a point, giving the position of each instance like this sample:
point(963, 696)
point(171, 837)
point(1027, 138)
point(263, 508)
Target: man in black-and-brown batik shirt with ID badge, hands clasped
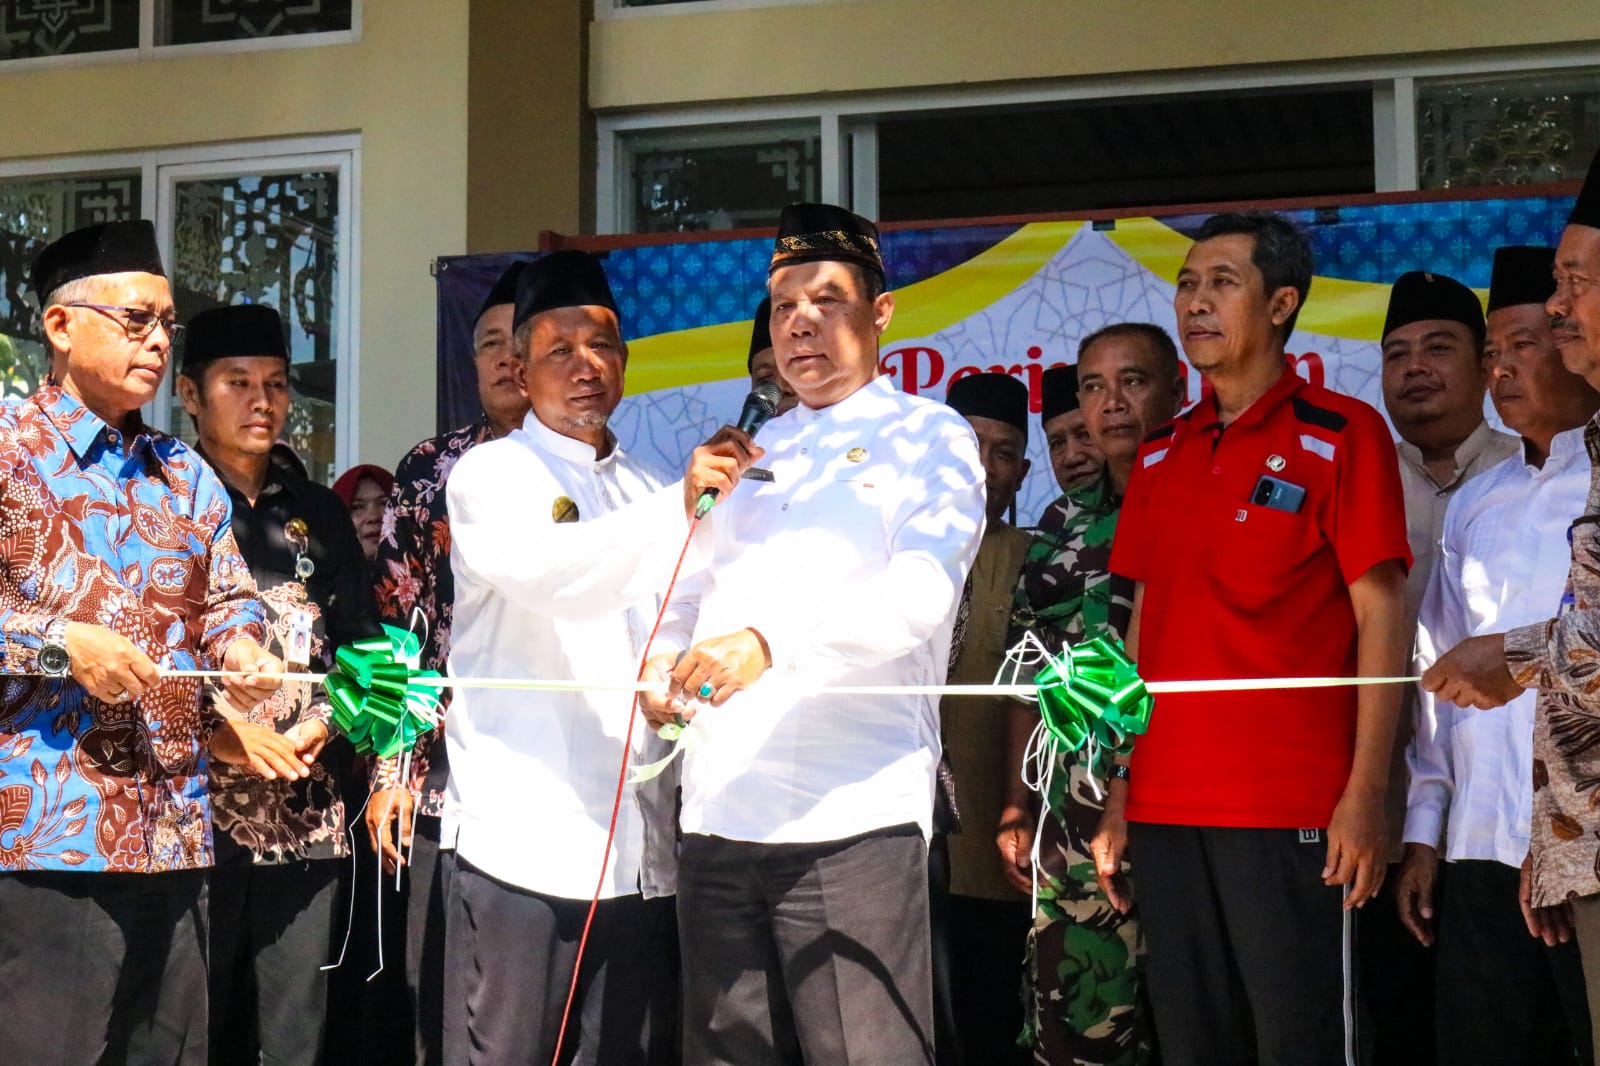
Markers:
point(276, 783)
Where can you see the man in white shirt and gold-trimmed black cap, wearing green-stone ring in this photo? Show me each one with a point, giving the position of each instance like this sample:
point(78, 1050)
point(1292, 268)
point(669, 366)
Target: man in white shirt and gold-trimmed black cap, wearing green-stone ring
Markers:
point(802, 888)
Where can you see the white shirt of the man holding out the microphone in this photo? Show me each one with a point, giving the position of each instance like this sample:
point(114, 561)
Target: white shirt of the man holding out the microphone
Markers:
point(532, 774)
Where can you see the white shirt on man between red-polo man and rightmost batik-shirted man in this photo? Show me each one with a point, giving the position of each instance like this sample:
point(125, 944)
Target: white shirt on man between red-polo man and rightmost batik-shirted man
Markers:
point(1503, 564)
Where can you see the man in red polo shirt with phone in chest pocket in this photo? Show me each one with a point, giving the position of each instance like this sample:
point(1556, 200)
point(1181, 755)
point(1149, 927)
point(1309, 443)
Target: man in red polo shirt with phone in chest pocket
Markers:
point(1266, 532)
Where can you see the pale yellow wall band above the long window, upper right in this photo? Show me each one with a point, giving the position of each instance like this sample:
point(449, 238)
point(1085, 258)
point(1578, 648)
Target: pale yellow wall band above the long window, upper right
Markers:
point(879, 46)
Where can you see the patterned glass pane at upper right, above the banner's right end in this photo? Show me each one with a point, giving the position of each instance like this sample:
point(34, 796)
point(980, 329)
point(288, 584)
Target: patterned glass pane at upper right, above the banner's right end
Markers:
point(1508, 130)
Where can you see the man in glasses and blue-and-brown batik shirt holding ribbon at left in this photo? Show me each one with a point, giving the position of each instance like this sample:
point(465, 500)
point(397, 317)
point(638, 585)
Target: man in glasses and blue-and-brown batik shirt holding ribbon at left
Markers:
point(118, 561)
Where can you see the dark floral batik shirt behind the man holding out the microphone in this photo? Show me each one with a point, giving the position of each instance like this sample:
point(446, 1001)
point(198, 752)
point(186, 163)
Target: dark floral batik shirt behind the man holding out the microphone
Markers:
point(415, 580)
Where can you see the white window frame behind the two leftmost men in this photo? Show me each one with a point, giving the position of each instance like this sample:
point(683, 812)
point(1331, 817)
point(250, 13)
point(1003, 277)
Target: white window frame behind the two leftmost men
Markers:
point(162, 169)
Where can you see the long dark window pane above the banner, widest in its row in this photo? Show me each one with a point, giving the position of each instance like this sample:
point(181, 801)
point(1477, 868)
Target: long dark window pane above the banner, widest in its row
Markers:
point(1126, 153)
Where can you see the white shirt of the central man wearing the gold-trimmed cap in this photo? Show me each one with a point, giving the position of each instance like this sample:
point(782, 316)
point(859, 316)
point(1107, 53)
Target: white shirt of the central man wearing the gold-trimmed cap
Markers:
point(850, 563)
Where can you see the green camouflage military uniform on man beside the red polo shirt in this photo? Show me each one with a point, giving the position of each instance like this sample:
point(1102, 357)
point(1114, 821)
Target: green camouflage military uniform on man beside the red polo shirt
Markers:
point(1082, 976)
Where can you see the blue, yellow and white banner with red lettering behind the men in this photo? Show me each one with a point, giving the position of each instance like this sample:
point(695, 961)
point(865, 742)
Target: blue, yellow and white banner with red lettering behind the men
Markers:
point(1009, 299)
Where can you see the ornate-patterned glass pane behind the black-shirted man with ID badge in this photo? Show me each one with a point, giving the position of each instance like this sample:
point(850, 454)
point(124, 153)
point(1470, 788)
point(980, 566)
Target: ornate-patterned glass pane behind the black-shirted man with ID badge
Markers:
point(270, 239)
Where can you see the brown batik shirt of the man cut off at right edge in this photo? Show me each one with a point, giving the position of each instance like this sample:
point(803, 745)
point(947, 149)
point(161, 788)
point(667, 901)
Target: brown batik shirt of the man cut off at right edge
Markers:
point(1562, 660)
